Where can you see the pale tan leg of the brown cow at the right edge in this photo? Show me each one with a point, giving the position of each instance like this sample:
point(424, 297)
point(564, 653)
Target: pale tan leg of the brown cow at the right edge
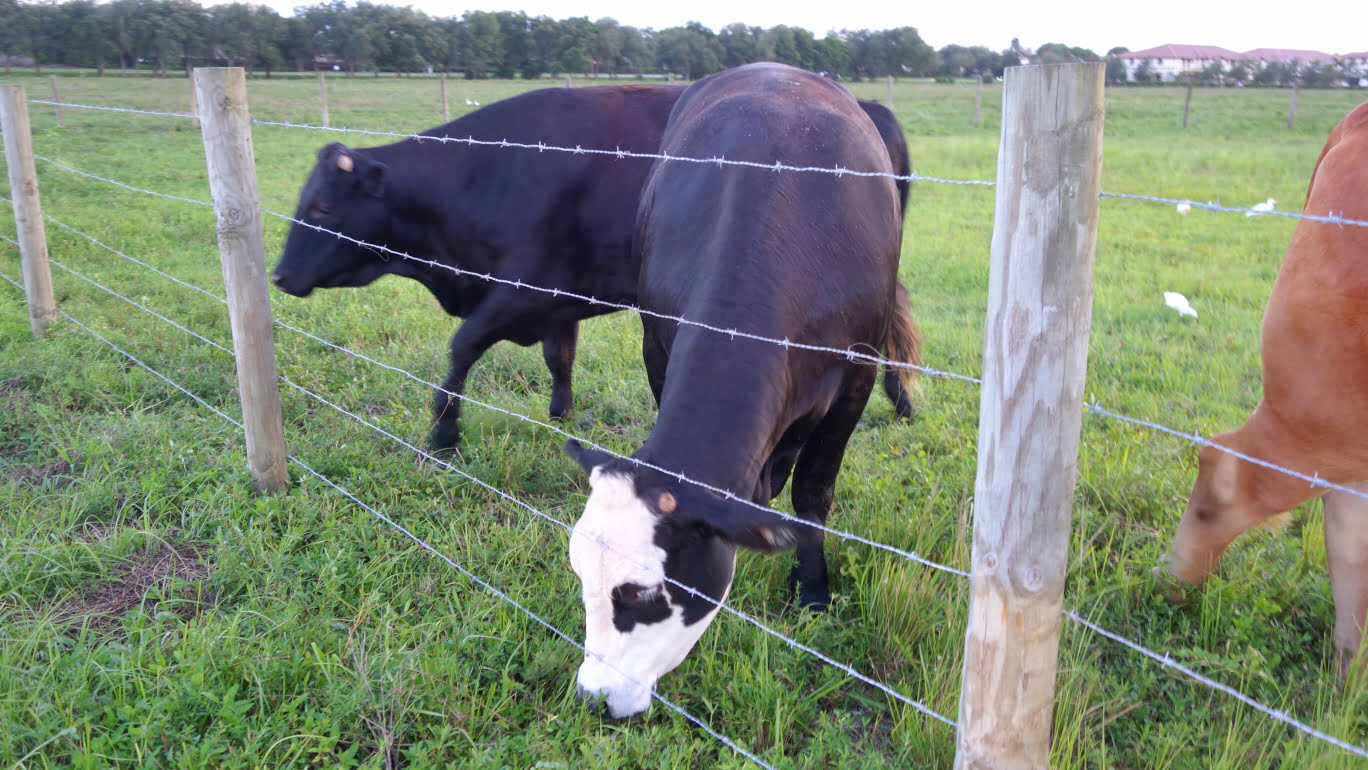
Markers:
point(1347, 550)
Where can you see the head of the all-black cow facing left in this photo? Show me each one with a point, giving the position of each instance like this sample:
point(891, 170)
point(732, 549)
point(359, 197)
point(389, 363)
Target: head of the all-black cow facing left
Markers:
point(345, 194)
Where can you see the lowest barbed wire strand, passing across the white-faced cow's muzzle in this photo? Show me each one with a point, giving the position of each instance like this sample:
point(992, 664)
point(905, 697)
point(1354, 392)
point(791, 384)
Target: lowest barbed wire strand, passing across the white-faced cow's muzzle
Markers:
point(422, 544)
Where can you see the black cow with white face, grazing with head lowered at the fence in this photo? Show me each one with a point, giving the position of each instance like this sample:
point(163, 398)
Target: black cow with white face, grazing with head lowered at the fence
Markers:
point(804, 256)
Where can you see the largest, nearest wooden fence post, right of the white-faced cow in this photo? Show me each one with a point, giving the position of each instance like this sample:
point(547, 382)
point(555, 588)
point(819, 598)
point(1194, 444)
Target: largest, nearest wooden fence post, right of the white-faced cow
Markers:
point(1040, 299)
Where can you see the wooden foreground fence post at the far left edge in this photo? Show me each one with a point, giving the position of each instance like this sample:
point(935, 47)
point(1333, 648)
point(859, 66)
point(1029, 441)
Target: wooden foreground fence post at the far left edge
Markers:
point(28, 210)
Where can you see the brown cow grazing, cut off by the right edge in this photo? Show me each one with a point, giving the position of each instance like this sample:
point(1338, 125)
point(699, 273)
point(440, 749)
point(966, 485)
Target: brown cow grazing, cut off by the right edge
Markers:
point(1314, 416)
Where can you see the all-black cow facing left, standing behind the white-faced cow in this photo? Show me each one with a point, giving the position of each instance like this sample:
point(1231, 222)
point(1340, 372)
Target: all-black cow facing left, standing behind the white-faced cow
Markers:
point(552, 220)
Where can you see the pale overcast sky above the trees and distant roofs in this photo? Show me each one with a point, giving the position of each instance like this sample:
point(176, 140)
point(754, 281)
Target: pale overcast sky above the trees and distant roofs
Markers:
point(1333, 27)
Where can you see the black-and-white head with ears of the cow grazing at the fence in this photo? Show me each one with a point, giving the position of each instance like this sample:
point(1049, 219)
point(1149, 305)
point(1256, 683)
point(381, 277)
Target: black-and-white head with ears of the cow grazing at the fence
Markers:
point(645, 535)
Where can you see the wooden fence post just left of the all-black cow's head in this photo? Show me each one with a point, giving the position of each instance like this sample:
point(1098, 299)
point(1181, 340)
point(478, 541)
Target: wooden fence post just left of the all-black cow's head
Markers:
point(228, 148)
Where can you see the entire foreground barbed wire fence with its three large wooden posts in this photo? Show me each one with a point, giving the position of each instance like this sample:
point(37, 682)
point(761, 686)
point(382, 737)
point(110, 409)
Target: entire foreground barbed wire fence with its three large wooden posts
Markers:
point(1035, 363)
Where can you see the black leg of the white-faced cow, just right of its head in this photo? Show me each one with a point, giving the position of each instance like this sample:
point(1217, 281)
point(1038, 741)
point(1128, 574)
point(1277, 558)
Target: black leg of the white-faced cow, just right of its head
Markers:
point(815, 488)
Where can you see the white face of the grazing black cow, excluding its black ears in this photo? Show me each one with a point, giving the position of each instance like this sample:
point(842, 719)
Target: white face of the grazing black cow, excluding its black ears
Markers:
point(637, 624)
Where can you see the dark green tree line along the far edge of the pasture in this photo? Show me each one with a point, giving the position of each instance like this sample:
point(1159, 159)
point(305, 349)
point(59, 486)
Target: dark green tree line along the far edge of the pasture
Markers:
point(165, 35)
